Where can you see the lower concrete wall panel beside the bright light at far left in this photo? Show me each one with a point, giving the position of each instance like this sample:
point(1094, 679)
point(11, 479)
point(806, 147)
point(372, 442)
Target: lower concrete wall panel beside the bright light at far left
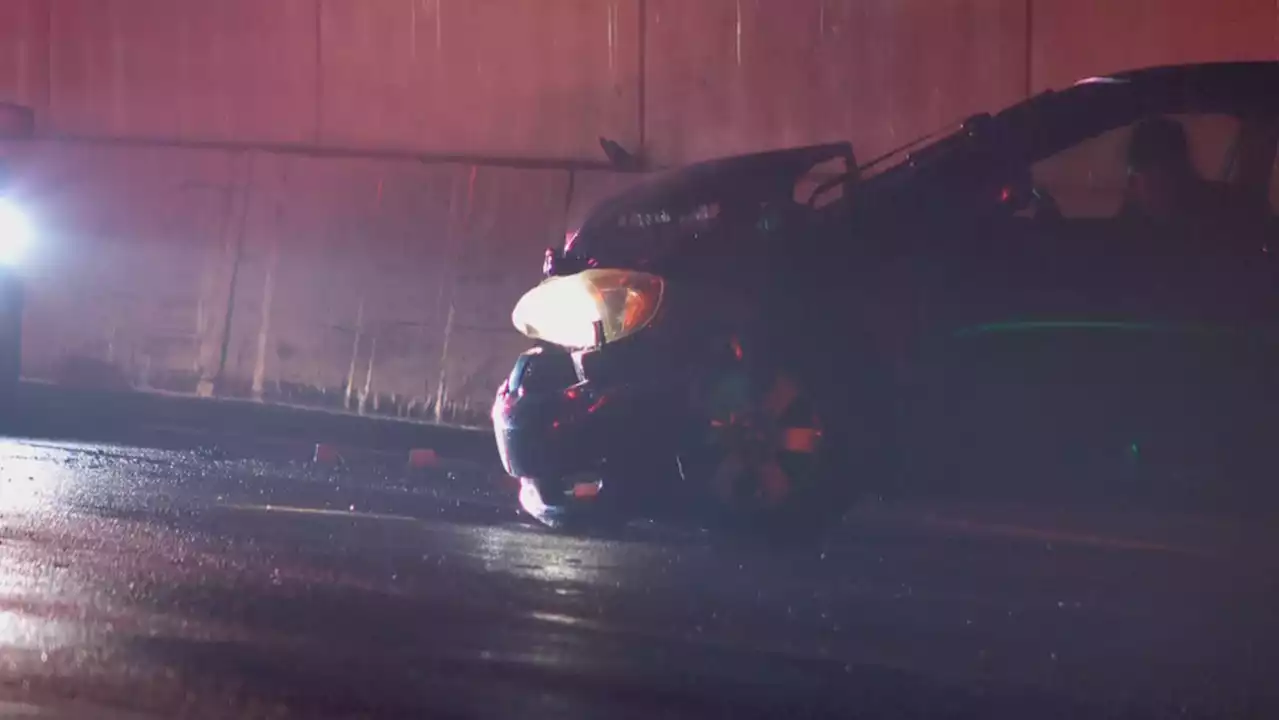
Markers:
point(120, 284)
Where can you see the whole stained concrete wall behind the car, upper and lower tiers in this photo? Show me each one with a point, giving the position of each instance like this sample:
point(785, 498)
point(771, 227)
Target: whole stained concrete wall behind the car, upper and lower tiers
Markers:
point(299, 200)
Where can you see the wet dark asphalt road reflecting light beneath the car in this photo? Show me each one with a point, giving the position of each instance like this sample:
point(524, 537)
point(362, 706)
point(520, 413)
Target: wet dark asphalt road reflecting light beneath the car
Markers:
point(186, 584)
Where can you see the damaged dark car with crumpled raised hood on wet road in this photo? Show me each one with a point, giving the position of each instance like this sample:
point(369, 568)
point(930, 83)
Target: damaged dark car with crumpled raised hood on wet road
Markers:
point(1081, 289)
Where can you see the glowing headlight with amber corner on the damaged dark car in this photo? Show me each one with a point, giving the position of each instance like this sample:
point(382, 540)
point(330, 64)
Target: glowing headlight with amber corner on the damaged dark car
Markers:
point(589, 308)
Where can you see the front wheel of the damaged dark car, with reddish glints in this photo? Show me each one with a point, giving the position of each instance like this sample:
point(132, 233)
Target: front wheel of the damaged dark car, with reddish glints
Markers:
point(771, 454)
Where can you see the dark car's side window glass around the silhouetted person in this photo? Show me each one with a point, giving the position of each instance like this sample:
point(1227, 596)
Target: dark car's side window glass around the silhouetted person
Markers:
point(1090, 180)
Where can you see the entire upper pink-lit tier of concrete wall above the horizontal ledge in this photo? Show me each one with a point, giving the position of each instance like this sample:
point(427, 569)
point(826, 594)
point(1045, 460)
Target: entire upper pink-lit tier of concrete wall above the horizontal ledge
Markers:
point(545, 80)
